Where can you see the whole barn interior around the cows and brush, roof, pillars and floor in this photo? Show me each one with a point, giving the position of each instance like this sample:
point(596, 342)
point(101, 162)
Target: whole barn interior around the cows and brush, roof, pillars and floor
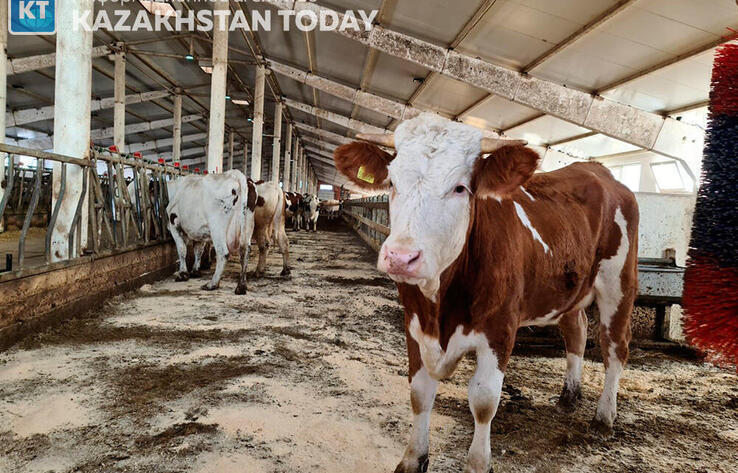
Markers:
point(108, 364)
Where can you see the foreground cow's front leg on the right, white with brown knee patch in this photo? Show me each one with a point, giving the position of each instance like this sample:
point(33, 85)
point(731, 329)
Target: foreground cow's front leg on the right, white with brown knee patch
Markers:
point(485, 391)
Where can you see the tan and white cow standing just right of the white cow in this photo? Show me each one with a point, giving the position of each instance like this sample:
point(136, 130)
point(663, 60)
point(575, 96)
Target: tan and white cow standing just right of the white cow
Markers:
point(269, 226)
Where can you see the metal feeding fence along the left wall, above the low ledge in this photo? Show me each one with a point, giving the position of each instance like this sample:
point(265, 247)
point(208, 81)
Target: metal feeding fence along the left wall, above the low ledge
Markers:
point(126, 198)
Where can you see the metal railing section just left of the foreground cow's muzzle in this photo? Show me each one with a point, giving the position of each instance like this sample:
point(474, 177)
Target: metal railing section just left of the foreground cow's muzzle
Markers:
point(369, 218)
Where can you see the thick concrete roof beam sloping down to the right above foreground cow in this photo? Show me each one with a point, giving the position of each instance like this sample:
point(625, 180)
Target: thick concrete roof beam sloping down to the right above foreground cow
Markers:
point(647, 130)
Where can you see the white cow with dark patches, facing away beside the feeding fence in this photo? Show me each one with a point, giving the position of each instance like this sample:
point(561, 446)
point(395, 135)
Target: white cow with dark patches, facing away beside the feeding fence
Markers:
point(217, 208)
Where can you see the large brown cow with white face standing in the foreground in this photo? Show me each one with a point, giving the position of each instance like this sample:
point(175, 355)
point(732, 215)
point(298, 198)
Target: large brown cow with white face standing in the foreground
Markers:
point(480, 246)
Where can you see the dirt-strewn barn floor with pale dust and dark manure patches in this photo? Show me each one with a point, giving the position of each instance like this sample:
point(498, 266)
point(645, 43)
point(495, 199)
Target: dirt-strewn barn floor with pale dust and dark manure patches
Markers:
point(309, 374)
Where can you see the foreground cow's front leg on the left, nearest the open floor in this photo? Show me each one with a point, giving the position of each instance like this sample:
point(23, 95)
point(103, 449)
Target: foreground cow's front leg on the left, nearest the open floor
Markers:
point(422, 395)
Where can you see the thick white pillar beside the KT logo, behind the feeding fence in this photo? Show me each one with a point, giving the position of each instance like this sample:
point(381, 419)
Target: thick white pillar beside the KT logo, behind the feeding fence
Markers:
point(72, 91)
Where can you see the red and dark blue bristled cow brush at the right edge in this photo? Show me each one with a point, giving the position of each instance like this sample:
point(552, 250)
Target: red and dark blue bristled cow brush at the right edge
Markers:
point(711, 280)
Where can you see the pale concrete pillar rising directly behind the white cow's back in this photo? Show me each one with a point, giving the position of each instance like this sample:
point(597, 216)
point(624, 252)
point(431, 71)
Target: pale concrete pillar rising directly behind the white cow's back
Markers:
point(216, 125)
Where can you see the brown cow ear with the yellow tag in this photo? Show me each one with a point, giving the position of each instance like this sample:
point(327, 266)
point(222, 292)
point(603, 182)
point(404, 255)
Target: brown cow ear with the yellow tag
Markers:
point(364, 163)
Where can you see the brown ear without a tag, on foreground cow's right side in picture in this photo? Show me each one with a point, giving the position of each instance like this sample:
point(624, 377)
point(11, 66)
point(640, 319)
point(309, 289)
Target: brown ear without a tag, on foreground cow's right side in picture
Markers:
point(502, 172)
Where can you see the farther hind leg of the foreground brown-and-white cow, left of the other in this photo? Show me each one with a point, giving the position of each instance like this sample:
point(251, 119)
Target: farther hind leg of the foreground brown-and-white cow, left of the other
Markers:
point(573, 326)
